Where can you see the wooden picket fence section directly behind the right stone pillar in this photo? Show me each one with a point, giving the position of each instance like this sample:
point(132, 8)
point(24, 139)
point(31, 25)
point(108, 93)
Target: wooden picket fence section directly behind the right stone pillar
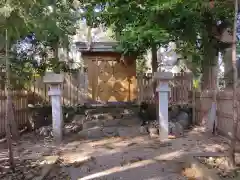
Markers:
point(181, 87)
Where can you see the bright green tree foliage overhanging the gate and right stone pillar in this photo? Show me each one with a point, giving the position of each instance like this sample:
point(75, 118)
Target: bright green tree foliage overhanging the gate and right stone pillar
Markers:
point(193, 25)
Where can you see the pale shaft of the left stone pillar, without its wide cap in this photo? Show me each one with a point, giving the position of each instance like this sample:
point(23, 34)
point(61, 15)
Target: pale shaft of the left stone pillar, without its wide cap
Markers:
point(57, 117)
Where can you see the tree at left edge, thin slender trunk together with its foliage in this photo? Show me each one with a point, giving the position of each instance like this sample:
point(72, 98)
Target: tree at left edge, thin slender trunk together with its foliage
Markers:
point(51, 21)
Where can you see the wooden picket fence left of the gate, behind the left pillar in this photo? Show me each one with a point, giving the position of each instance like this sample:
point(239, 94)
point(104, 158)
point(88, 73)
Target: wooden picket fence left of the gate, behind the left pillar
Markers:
point(74, 92)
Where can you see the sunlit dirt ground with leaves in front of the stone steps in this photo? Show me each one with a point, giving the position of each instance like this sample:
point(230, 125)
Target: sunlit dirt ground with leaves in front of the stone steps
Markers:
point(131, 156)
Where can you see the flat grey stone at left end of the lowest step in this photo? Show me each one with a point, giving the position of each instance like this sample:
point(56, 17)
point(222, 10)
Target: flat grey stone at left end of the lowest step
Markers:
point(92, 133)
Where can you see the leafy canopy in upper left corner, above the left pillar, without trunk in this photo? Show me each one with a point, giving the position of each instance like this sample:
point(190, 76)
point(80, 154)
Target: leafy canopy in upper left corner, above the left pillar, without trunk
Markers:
point(52, 22)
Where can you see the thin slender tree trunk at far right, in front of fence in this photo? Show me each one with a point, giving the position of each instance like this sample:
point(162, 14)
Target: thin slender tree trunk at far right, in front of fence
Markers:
point(235, 75)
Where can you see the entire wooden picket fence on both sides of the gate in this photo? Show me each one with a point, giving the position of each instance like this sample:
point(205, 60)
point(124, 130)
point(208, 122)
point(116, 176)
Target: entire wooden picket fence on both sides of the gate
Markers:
point(75, 90)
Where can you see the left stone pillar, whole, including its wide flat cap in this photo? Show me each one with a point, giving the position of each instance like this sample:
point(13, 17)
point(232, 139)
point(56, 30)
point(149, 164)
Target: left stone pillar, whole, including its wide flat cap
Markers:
point(54, 81)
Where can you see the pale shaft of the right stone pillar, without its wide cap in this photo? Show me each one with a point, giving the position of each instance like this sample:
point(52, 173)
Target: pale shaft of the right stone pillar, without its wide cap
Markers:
point(163, 90)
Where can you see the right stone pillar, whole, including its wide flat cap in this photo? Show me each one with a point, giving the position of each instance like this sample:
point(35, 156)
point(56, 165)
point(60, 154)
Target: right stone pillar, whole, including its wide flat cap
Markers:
point(163, 91)
